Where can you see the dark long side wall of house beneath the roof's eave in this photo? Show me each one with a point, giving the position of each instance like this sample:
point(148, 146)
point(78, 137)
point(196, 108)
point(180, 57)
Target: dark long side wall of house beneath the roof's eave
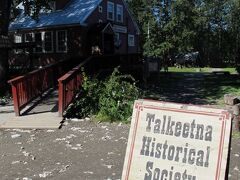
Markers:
point(76, 38)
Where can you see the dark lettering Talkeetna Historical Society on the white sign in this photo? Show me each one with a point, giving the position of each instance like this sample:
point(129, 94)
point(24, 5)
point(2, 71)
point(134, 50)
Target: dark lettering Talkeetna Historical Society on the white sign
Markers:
point(164, 150)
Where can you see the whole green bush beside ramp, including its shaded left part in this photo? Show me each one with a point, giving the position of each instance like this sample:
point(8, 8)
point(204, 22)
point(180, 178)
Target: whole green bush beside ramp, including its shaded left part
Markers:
point(110, 100)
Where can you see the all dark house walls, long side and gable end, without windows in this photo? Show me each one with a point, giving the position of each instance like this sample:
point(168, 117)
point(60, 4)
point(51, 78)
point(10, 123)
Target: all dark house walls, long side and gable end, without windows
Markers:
point(78, 39)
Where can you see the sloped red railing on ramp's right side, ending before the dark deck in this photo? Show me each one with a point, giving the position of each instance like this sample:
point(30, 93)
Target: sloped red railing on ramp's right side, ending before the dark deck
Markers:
point(68, 86)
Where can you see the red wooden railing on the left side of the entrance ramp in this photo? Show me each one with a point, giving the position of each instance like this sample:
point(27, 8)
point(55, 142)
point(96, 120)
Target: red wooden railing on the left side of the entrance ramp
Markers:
point(26, 88)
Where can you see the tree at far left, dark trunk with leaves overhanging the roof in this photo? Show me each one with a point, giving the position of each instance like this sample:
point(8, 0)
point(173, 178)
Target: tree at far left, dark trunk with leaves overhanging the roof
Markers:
point(32, 7)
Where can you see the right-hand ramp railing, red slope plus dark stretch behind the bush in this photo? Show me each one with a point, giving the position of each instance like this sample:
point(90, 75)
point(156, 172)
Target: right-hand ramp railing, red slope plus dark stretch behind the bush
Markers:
point(70, 83)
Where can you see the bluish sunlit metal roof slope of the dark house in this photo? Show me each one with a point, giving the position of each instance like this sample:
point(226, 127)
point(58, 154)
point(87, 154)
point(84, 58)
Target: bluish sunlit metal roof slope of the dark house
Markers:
point(75, 12)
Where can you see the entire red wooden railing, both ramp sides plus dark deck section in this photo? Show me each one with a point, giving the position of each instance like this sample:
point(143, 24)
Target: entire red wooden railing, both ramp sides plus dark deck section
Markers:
point(26, 88)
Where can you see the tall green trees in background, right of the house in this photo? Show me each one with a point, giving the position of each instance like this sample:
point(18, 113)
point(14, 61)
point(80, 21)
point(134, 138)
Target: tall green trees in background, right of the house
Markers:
point(210, 27)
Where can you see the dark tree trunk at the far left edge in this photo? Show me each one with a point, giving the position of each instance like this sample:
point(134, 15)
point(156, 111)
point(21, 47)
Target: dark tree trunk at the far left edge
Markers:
point(5, 6)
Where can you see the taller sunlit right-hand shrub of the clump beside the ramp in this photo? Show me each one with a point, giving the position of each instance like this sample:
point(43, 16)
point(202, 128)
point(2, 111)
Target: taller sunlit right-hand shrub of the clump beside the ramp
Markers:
point(117, 97)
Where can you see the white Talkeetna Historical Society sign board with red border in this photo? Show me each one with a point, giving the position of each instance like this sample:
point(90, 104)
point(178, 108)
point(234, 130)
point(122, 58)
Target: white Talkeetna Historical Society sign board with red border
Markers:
point(170, 141)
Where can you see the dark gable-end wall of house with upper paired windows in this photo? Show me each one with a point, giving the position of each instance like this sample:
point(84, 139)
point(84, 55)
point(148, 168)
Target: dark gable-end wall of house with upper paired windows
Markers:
point(127, 23)
